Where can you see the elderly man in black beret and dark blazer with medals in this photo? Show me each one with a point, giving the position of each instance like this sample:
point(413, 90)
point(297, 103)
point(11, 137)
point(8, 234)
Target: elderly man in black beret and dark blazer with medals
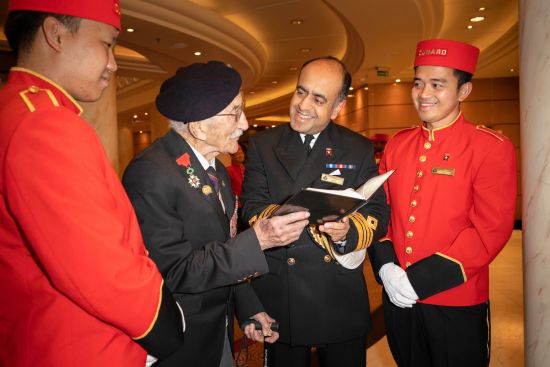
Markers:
point(187, 213)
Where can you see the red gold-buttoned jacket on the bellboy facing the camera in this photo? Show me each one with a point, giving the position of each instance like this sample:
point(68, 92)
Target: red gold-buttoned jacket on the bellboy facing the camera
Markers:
point(452, 200)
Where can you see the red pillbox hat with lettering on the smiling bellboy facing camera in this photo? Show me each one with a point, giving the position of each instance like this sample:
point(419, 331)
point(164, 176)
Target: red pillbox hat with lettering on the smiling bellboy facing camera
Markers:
point(451, 54)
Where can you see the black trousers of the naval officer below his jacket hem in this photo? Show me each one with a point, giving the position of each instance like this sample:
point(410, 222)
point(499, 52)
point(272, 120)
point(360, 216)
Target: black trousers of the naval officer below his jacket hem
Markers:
point(351, 353)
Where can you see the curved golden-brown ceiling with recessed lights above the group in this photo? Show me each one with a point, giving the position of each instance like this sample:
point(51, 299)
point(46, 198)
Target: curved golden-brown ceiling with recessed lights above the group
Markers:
point(260, 39)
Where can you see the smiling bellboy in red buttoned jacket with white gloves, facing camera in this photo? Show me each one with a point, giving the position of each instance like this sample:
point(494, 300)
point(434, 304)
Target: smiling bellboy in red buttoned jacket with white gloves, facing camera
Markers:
point(452, 201)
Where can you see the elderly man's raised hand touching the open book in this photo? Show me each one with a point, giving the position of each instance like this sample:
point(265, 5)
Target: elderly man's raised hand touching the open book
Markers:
point(280, 230)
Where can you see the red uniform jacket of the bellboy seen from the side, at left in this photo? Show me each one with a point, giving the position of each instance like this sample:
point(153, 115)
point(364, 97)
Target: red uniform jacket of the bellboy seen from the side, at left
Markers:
point(76, 283)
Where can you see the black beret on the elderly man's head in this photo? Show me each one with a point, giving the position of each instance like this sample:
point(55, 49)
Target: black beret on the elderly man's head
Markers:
point(198, 91)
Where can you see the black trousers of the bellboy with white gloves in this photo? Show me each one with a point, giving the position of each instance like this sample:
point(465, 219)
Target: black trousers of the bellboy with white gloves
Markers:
point(438, 336)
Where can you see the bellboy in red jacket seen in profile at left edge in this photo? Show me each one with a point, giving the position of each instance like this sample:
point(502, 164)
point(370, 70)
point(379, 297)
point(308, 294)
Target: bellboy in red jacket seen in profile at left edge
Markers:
point(78, 287)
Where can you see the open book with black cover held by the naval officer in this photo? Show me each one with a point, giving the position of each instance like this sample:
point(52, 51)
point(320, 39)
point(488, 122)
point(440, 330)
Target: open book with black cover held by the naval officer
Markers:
point(331, 205)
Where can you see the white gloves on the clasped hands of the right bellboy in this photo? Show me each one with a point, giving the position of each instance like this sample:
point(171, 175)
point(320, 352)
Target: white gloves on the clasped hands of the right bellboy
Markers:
point(397, 285)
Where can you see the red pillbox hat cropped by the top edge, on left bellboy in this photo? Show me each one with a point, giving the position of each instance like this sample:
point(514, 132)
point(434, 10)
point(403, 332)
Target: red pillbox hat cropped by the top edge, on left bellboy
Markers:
point(104, 11)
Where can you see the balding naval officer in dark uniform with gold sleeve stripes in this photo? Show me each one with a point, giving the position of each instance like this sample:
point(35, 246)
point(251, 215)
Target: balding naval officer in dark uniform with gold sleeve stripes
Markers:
point(315, 287)
